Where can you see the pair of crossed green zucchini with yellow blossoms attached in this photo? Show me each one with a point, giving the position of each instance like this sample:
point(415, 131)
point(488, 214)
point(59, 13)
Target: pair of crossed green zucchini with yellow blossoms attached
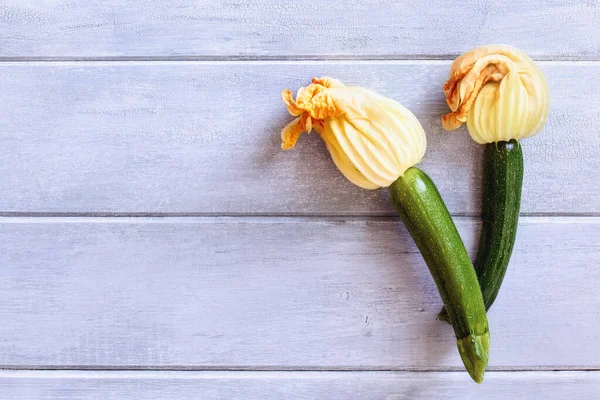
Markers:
point(375, 142)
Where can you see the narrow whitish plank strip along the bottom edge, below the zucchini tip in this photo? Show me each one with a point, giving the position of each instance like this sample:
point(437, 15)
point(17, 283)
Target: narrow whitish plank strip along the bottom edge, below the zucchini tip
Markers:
point(183, 385)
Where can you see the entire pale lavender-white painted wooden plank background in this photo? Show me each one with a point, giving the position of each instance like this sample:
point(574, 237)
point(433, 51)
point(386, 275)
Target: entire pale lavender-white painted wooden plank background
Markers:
point(155, 242)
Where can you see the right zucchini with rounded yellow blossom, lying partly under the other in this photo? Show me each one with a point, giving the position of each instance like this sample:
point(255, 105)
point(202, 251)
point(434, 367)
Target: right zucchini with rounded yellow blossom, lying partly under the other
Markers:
point(503, 97)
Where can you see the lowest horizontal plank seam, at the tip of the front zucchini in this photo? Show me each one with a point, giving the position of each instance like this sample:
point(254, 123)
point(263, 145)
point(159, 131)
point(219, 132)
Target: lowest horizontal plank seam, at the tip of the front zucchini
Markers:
point(183, 368)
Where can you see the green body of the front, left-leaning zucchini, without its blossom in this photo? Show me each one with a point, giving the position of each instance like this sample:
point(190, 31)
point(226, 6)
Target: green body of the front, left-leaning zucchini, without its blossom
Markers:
point(428, 221)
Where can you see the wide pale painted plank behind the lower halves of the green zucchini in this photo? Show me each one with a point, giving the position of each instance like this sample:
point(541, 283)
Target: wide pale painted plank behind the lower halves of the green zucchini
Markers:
point(279, 293)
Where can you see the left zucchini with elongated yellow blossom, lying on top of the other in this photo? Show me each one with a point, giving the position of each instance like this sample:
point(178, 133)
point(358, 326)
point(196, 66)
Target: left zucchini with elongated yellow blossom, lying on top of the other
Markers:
point(375, 142)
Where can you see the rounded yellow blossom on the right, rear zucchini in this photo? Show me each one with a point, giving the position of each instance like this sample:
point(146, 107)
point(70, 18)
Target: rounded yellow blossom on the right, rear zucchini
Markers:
point(499, 92)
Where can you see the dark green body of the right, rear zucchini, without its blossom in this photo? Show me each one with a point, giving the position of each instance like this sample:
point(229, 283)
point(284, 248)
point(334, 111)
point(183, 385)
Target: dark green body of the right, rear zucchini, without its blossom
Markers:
point(502, 182)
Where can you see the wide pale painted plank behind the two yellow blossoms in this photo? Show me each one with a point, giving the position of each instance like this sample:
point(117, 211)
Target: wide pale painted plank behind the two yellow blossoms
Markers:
point(203, 137)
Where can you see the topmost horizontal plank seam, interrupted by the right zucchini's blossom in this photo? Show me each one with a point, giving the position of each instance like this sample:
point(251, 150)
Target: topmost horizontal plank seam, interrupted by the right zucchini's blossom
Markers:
point(265, 59)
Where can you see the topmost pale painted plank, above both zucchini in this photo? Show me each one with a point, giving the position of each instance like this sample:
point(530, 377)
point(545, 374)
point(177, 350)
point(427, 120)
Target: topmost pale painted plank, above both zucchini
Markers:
point(259, 28)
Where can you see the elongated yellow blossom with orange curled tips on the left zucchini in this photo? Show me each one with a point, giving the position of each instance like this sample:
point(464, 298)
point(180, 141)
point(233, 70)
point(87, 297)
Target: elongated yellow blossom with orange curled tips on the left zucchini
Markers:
point(372, 139)
